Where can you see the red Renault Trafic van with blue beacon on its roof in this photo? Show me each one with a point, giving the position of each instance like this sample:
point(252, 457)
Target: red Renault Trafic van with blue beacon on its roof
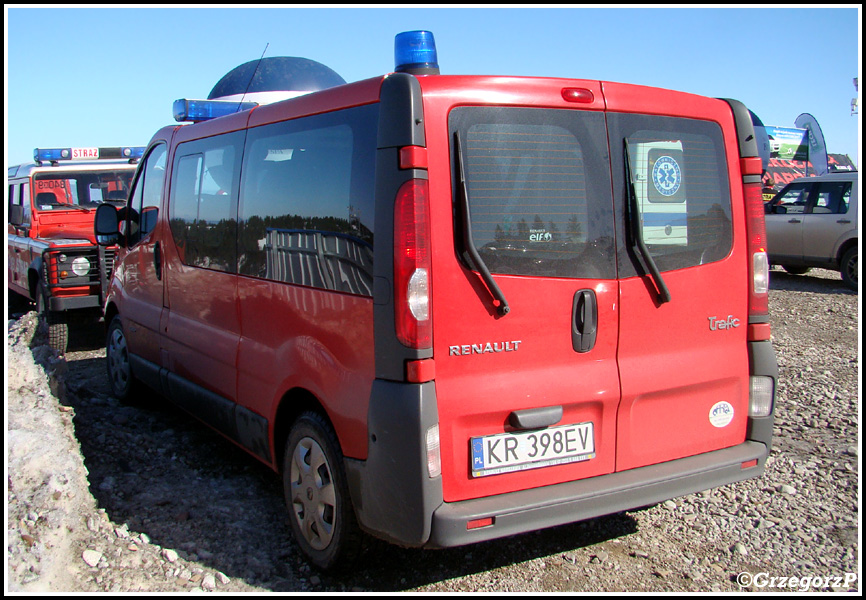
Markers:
point(453, 308)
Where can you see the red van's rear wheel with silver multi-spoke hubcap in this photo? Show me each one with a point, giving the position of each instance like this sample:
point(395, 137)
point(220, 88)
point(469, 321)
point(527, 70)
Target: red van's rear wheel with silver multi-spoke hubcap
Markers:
point(317, 495)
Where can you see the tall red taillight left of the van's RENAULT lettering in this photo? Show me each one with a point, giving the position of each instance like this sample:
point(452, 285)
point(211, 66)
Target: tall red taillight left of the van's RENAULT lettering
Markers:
point(412, 262)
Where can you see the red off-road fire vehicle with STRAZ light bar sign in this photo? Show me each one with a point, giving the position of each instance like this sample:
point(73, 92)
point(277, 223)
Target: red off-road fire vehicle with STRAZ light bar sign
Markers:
point(53, 257)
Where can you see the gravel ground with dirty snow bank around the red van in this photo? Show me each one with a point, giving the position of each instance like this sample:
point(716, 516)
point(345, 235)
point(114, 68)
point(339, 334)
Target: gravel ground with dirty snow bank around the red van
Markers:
point(104, 496)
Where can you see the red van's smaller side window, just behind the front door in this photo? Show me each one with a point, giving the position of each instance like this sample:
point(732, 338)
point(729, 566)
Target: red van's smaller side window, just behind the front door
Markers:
point(203, 207)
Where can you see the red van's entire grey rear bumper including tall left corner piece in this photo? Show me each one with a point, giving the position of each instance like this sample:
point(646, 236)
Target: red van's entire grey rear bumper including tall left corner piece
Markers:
point(395, 499)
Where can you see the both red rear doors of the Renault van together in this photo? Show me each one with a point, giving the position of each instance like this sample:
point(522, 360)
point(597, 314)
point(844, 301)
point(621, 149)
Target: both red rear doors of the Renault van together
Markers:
point(570, 360)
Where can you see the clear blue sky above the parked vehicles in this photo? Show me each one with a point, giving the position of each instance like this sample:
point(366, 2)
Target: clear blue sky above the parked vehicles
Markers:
point(108, 76)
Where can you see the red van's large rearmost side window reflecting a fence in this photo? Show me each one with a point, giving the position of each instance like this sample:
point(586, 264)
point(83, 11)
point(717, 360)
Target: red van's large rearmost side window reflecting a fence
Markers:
point(306, 203)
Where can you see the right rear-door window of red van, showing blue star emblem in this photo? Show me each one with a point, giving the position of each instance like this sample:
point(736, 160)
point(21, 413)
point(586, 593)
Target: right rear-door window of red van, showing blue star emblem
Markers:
point(680, 176)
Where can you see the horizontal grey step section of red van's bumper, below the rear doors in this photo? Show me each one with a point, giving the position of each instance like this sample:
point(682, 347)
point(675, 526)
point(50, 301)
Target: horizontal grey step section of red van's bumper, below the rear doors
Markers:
point(539, 508)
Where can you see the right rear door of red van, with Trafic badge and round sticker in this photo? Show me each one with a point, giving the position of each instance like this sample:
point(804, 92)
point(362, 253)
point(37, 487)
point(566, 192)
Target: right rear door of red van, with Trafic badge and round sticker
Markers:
point(682, 347)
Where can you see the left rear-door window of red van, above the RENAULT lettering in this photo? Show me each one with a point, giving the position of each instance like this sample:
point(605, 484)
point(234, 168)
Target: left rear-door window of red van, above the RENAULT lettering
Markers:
point(538, 186)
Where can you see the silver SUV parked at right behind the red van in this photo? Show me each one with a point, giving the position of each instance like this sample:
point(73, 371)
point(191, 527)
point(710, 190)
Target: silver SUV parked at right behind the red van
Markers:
point(812, 222)
